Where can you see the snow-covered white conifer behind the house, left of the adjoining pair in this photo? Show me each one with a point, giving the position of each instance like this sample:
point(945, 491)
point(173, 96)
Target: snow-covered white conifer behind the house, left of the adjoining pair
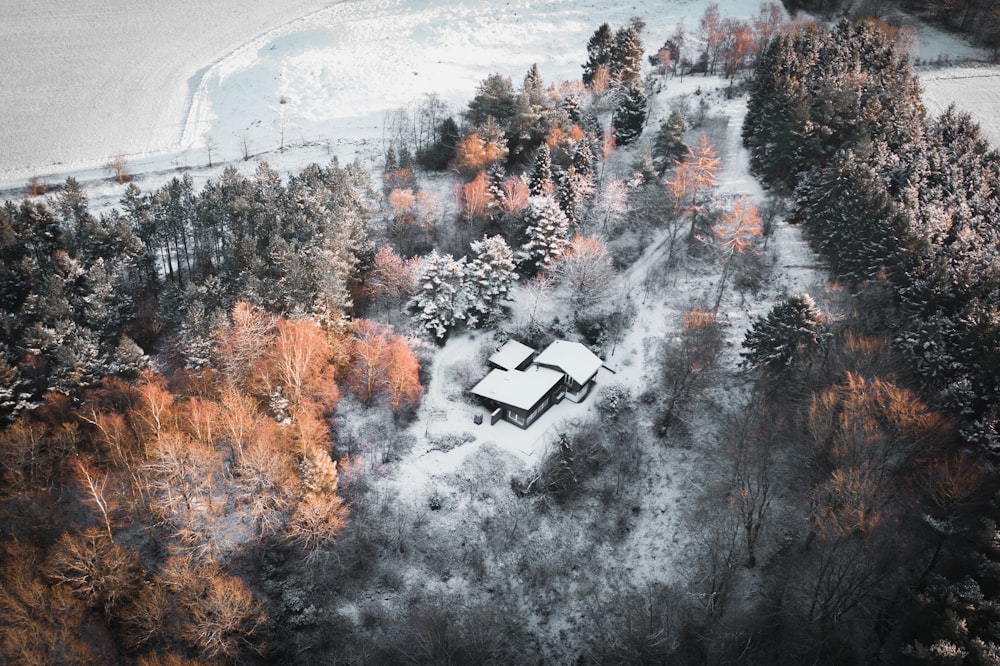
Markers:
point(441, 302)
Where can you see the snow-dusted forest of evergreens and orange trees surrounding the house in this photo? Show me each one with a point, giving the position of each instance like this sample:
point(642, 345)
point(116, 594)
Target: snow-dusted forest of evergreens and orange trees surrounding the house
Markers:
point(207, 395)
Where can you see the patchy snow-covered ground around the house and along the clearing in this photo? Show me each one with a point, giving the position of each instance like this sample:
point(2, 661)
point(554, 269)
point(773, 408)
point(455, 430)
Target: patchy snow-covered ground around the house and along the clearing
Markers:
point(660, 541)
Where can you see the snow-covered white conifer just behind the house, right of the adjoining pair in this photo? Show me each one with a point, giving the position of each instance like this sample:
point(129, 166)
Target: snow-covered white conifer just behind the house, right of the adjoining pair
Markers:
point(488, 279)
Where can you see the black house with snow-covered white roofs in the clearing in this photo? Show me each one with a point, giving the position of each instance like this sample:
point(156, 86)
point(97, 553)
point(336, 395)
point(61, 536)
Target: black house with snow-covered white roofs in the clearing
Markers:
point(520, 389)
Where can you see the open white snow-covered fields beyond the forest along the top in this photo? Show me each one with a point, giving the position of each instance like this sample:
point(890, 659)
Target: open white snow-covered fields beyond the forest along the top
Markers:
point(160, 82)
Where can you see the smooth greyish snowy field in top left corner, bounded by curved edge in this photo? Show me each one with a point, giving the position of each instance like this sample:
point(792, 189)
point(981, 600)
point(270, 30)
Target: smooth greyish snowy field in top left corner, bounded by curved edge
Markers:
point(88, 79)
